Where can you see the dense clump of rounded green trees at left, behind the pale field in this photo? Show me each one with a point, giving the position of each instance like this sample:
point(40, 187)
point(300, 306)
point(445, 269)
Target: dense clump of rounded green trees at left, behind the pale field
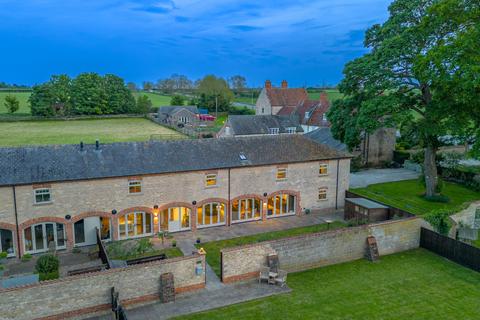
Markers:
point(87, 94)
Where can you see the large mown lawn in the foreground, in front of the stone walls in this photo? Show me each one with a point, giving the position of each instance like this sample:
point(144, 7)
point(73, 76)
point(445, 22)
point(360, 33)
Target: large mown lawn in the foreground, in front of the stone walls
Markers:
point(415, 284)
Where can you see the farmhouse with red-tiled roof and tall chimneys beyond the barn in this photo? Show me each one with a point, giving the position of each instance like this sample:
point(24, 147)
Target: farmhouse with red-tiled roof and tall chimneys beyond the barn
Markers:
point(311, 114)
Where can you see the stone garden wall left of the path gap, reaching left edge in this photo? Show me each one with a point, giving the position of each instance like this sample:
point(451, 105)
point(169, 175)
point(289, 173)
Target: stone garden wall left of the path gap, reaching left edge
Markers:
point(80, 295)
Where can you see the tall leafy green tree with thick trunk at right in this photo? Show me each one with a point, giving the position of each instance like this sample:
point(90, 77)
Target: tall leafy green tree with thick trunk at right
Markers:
point(400, 79)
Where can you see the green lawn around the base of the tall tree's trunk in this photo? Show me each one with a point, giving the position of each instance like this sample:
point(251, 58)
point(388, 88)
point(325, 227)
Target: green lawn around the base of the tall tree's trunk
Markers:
point(407, 195)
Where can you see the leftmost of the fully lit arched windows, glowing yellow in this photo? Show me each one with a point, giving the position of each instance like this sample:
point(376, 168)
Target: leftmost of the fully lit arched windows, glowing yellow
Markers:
point(135, 224)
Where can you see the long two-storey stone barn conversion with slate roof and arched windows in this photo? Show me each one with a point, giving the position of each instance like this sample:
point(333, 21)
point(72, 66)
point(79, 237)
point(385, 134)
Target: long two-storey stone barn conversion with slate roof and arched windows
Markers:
point(58, 196)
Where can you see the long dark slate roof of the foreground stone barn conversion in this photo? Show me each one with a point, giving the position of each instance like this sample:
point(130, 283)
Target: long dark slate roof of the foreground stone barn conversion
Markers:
point(40, 164)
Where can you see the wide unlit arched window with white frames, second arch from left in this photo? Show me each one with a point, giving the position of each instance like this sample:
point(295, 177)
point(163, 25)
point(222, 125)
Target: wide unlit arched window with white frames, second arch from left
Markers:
point(40, 237)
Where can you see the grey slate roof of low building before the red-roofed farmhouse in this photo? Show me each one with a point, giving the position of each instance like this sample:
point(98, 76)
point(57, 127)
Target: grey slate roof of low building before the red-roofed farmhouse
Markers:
point(249, 124)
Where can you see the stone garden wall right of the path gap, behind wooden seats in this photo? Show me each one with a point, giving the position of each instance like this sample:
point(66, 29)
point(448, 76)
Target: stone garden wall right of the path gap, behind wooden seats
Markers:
point(320, 249)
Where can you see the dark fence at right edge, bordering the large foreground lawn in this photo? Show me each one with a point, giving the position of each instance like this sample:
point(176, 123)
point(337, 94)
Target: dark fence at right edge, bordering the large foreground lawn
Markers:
point(452, 249)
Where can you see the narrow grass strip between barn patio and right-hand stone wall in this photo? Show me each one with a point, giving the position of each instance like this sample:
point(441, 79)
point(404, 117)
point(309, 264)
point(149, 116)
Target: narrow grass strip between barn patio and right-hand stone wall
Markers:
point(213, 248)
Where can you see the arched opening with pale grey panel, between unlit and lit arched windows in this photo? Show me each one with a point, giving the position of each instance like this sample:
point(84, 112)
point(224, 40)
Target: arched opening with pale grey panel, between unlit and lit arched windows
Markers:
point(84, 231)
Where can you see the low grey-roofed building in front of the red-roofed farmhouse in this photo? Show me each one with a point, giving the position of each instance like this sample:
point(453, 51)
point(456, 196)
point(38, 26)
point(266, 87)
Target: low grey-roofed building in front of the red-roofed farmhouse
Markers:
point(249, 125)
